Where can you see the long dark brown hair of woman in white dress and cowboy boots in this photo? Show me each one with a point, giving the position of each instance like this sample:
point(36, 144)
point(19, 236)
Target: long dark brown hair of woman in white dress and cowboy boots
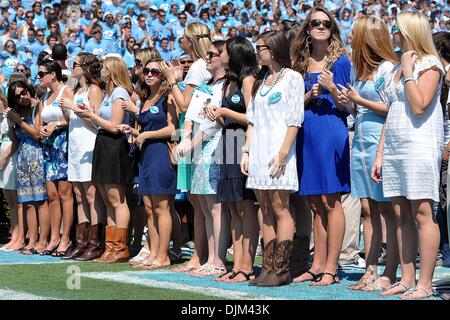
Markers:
point(279, 47)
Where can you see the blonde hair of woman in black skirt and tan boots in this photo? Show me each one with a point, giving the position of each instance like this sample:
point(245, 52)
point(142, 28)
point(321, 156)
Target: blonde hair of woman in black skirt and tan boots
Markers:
point(118, 74)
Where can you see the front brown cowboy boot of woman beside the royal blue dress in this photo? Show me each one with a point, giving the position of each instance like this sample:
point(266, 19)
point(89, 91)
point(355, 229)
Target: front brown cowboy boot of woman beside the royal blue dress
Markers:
point(280, 274)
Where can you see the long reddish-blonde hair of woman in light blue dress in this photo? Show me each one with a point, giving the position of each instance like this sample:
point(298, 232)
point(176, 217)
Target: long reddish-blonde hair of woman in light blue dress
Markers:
point(371, 46)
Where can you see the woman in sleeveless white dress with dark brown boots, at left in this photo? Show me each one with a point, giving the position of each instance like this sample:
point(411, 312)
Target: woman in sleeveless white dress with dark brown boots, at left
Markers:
point(82, 134)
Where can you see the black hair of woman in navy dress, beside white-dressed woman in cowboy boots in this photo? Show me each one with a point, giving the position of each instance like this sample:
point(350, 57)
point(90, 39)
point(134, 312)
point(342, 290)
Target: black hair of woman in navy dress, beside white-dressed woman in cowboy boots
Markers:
point(242, 60)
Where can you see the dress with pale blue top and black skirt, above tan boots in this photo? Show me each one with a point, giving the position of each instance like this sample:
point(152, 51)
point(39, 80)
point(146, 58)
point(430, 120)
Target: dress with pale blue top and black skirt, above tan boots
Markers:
point(110, 161)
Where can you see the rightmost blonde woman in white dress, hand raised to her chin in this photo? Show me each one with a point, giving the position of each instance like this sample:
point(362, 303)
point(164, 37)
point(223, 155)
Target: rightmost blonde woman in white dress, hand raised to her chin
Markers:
point(411, 157)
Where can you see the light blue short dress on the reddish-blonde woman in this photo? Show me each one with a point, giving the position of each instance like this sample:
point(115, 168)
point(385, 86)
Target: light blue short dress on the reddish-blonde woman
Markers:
point(368, 127)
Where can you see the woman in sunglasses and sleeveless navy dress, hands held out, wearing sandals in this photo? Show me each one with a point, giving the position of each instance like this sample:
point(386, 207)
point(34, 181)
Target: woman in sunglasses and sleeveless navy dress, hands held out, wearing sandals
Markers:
point(157, 175)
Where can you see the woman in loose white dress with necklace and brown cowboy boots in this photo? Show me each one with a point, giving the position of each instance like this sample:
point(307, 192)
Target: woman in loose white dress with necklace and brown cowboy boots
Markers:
point(269, 158)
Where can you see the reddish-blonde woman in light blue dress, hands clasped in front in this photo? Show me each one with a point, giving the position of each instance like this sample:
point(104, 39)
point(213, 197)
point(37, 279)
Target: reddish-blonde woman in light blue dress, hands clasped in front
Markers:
point(372, 66)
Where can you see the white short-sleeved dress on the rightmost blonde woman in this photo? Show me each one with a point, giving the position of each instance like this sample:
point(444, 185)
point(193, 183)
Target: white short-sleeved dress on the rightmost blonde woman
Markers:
point(413, 145)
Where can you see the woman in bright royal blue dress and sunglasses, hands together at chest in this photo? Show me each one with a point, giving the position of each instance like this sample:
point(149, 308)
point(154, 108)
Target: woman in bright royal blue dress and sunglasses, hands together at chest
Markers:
point(323, 156)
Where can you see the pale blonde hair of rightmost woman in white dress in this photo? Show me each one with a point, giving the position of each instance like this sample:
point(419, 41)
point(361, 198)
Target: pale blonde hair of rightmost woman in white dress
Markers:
point(416, 32)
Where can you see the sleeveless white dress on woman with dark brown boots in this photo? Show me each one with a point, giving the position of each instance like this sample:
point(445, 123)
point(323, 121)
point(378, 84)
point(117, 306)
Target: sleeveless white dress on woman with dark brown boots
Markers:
point(81, 144)
